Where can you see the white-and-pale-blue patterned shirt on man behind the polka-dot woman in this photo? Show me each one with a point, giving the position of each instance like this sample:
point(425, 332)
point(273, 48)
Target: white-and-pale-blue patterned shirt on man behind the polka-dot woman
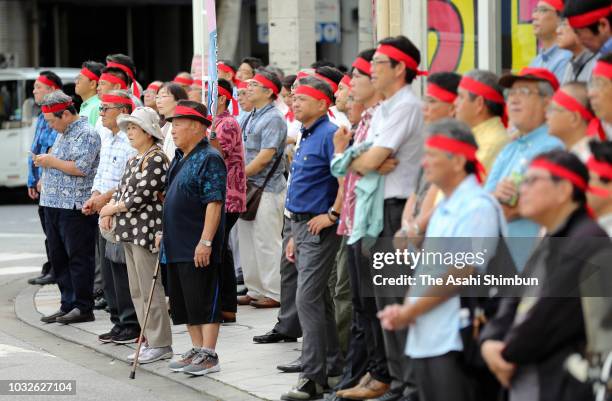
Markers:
point(115, 152)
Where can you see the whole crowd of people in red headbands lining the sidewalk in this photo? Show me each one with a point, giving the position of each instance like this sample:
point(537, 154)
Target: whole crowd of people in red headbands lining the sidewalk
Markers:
point(289, 184)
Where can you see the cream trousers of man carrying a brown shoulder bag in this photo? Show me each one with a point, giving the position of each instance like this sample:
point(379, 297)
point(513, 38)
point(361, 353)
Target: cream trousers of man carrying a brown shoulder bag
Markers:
point(260, 245)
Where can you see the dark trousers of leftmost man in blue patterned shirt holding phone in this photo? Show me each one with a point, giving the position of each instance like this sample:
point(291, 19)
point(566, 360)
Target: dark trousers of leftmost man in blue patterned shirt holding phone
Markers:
point(71, 237)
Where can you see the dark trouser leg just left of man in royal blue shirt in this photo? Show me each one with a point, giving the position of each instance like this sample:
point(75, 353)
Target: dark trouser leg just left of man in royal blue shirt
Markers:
point(288, 320)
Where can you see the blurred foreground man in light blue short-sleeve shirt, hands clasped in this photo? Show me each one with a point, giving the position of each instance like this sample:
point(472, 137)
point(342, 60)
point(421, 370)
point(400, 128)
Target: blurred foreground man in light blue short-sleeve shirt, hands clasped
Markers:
point(434, 343)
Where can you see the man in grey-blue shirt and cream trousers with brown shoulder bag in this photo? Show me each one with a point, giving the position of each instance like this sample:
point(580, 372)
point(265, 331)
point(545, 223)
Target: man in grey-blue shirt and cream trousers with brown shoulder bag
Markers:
point(265, 133)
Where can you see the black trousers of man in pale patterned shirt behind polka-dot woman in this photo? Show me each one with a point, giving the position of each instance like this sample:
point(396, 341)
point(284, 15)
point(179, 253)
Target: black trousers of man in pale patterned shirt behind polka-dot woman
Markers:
point(117, 292)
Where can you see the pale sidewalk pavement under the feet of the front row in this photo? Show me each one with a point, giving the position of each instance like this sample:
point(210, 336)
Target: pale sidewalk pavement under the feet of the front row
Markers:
point(248, 370)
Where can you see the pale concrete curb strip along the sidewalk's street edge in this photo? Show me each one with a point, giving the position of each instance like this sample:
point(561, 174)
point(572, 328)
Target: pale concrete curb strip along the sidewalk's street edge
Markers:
point(26, 311)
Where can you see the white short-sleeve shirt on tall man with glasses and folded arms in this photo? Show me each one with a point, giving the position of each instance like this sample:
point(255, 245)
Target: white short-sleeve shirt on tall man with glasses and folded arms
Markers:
point(398, 125)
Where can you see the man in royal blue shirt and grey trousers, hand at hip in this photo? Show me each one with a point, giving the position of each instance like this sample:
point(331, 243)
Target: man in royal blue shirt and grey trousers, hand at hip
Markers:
point(314, 202)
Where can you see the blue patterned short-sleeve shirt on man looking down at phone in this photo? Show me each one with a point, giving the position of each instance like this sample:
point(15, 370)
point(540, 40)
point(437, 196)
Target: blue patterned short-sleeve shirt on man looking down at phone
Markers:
point(79, 143)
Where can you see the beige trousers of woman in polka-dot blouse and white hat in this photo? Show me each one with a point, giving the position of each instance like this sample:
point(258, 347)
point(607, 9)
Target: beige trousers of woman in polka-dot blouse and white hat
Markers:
point(141, 266)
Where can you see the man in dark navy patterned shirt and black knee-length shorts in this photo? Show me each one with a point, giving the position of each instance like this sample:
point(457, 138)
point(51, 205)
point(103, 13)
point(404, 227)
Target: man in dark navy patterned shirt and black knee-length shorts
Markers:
point(193, 236)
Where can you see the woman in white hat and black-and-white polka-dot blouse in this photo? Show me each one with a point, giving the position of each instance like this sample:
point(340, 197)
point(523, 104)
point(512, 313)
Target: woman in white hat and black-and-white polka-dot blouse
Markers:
point(136, 215)
